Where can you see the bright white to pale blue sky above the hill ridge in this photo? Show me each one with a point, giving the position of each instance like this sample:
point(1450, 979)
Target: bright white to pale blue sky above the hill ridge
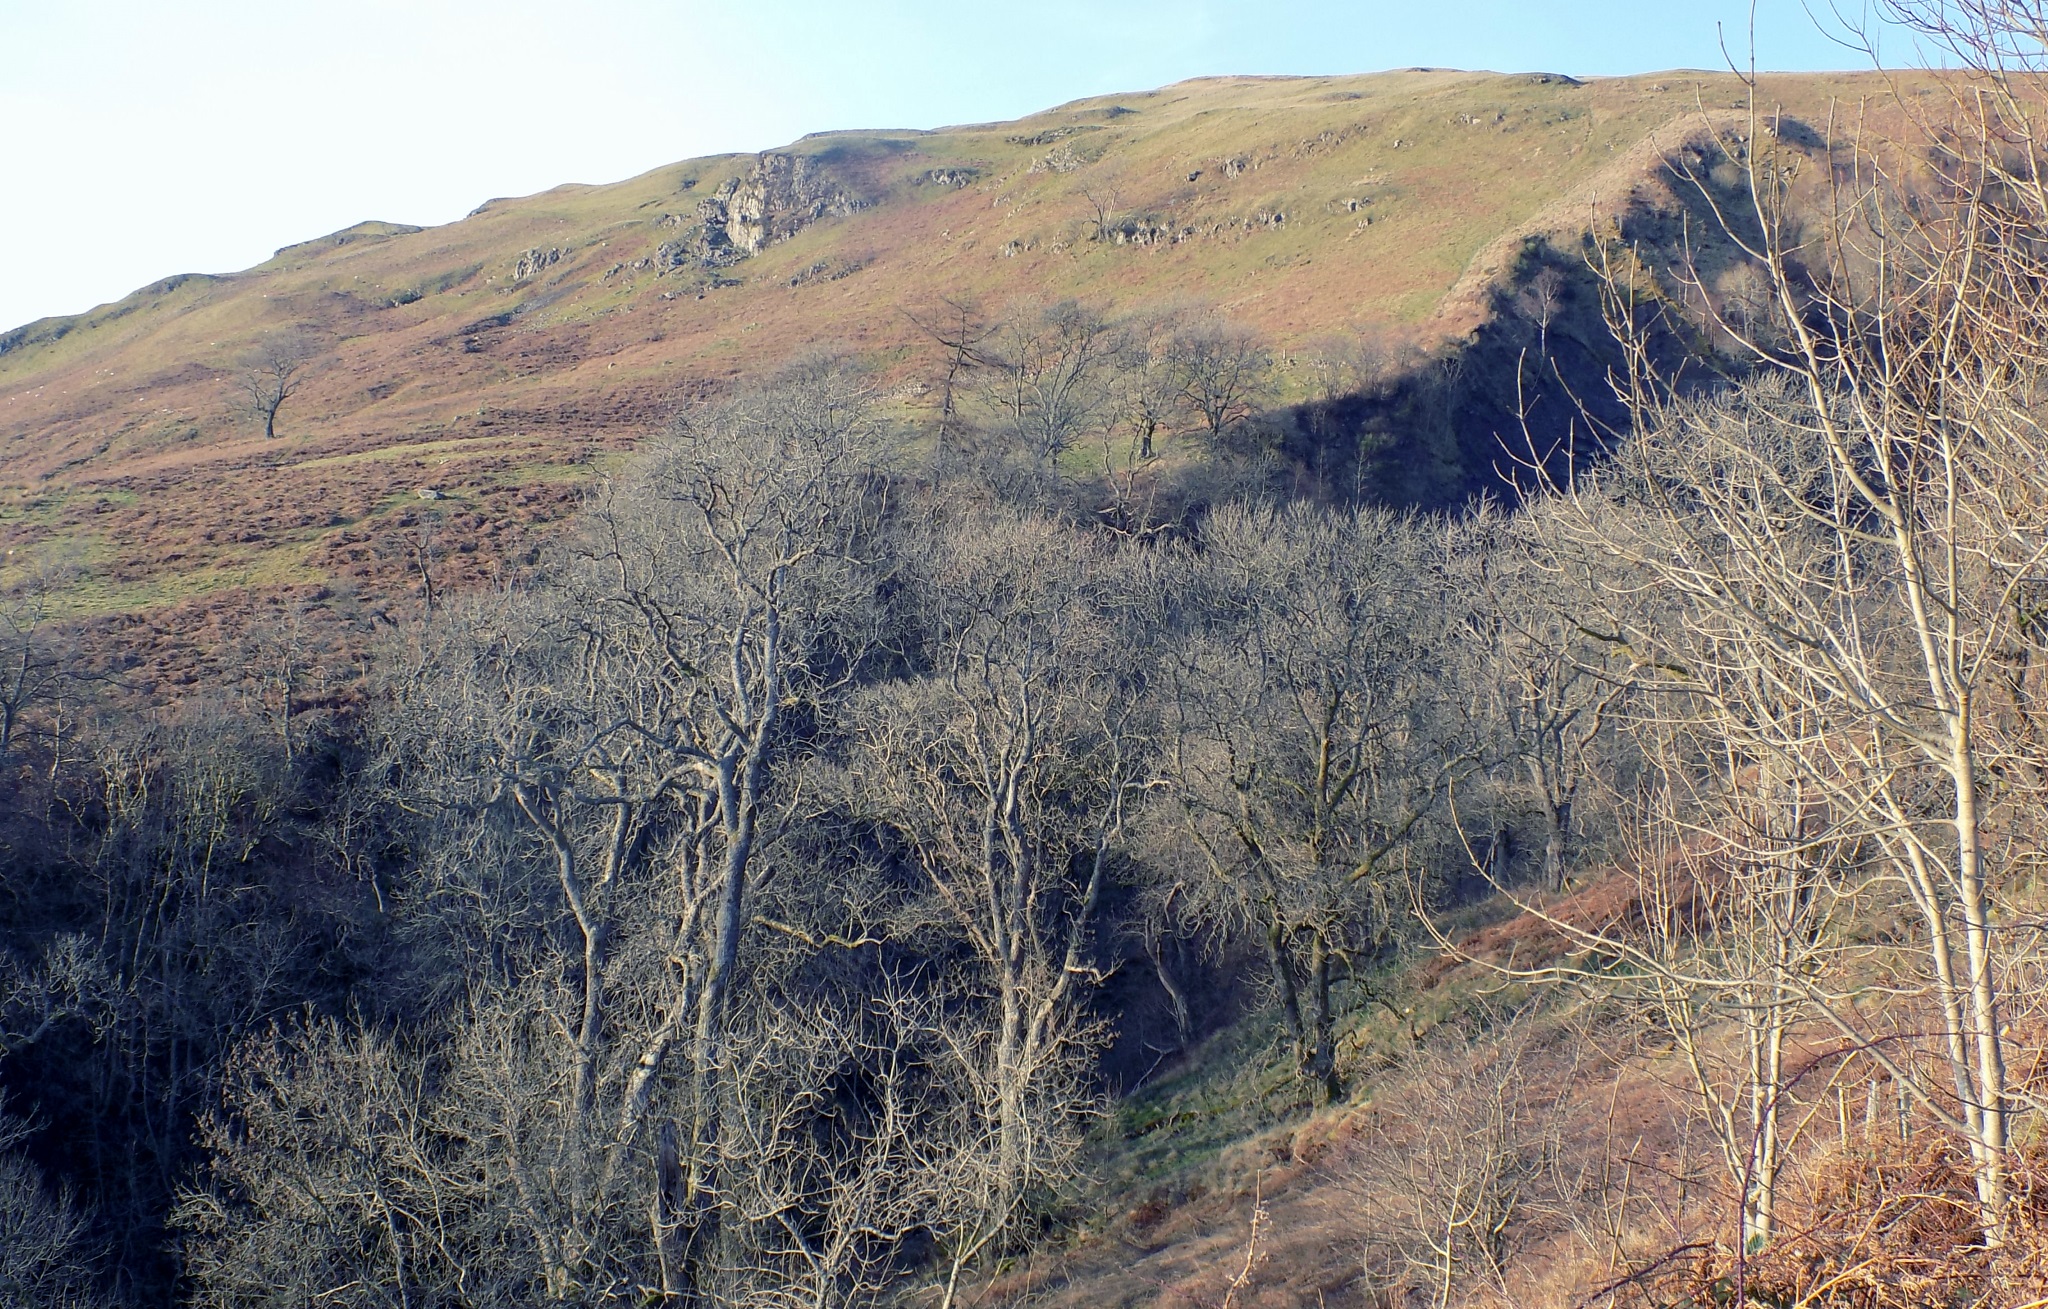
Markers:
point(142, 138)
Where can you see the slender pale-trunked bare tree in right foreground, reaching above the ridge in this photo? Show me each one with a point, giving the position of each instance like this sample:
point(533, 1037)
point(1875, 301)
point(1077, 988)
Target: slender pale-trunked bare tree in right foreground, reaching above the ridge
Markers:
point(1840, 554)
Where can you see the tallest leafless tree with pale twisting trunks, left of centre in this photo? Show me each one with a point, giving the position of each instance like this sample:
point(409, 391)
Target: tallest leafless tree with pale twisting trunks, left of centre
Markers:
point(603, 755)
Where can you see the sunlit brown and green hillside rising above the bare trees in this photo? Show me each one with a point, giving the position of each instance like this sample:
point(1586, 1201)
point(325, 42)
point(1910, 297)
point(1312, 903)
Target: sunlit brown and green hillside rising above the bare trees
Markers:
point(499, 360)
